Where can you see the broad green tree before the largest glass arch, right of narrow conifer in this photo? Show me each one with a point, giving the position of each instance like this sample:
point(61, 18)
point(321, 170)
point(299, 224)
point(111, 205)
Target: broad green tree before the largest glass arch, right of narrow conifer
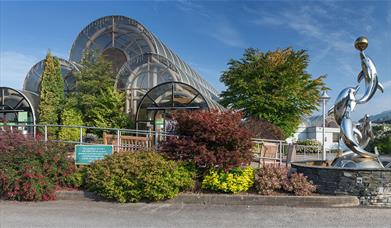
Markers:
point(99, 102)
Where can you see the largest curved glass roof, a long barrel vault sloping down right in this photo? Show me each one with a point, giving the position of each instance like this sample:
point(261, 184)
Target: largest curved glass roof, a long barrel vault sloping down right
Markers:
point(138, 45)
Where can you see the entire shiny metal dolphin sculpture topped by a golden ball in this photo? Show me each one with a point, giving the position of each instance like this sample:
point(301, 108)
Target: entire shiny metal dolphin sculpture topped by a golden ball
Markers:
point(355, 137)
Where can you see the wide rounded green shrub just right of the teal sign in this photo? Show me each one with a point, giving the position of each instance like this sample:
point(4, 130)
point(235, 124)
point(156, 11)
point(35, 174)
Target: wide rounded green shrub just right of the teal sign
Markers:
point(131, 177)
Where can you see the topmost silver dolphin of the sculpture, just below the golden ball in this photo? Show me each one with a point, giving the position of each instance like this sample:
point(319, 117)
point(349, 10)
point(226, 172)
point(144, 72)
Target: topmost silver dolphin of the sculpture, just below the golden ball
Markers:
point(368, 73)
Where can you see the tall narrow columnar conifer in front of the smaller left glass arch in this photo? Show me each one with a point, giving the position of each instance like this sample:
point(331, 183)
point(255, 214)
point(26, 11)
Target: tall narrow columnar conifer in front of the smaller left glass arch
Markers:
point(51, 93)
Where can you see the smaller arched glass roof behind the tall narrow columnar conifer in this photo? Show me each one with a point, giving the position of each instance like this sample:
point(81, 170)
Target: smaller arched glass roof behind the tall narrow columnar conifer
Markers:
point(33, 77)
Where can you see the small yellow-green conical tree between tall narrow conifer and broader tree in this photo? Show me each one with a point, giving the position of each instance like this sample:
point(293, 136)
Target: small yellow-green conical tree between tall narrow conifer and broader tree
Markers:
point(71, 116)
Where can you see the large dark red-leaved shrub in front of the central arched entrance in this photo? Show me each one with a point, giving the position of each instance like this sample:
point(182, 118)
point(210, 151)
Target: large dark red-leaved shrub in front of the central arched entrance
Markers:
point(209, 139)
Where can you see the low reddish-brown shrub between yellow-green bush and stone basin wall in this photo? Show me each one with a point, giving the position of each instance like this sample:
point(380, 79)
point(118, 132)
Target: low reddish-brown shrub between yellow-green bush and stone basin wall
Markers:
point(271, 179)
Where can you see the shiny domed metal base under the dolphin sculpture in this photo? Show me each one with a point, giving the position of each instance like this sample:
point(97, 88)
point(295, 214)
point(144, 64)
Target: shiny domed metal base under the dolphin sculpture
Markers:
point(355, 161)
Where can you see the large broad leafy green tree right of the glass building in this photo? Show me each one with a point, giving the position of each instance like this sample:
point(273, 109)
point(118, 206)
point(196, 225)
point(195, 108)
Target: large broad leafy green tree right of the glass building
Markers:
point(272, 86)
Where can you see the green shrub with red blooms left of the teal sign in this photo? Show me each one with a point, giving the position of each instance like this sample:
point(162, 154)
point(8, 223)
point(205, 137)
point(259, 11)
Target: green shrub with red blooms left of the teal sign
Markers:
point(31, 169)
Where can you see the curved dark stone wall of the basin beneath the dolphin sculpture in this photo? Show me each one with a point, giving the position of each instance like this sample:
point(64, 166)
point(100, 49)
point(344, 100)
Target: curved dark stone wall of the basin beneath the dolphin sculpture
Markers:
point(372, 186)
